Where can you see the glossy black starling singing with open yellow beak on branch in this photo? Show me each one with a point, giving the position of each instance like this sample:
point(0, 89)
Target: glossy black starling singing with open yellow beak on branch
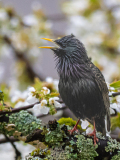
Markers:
point(82, 86)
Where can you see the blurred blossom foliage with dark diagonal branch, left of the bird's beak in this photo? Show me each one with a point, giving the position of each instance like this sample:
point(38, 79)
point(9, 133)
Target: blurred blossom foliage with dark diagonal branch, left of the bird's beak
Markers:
point(20, 38)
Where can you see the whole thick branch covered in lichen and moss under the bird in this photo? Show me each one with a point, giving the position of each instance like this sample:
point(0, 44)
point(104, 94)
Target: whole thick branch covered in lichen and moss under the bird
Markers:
point(55, 142)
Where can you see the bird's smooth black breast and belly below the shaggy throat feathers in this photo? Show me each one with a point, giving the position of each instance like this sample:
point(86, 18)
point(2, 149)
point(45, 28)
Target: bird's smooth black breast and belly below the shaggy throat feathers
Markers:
point(83, 97)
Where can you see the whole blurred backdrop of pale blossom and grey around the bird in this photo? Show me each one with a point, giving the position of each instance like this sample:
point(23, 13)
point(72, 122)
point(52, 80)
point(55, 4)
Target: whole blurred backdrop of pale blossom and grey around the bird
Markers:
point(24, 23)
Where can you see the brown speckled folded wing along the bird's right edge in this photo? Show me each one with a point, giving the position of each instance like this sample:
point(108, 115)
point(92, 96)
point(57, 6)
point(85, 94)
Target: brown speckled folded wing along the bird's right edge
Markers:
point(99, 78)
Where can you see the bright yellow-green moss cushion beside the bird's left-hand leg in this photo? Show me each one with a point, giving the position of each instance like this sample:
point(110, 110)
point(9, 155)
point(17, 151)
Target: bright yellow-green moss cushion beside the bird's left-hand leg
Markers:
point(70, 122)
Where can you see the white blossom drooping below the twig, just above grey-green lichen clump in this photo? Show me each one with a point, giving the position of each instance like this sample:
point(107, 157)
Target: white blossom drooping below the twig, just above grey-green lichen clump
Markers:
point(42, 107)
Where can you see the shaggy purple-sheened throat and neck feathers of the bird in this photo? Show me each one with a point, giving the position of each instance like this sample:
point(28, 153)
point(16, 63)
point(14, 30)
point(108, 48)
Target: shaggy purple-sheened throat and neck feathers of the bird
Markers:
point(72, 68)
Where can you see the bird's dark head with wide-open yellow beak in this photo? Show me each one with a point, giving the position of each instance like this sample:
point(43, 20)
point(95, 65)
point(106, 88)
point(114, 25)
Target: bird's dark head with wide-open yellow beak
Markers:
point(68, 47)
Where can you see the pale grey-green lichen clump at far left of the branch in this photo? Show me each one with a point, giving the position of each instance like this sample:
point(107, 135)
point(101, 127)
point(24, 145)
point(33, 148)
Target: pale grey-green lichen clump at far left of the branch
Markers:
point(23, 121)
